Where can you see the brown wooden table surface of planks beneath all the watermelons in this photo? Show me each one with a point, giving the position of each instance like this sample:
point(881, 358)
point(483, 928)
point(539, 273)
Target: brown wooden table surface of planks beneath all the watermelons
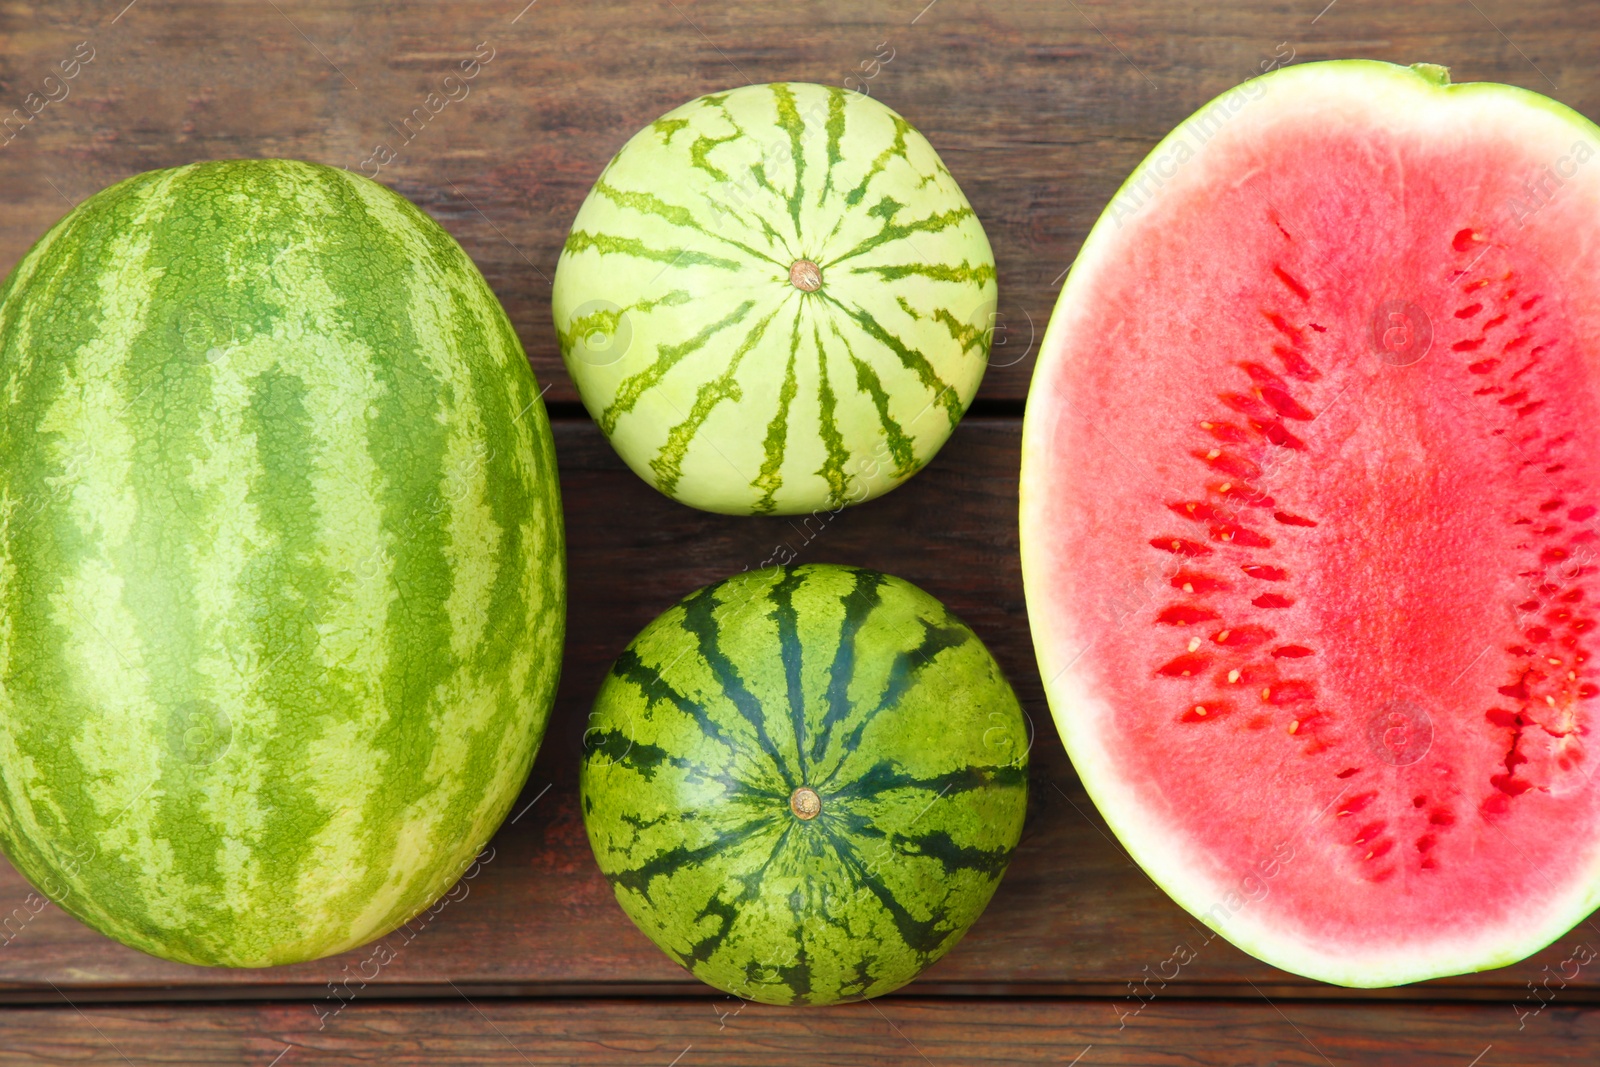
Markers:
point(1039, 110)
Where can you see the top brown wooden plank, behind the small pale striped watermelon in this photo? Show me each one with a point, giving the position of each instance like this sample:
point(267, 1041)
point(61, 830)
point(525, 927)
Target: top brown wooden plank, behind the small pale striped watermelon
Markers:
point(1041, 110)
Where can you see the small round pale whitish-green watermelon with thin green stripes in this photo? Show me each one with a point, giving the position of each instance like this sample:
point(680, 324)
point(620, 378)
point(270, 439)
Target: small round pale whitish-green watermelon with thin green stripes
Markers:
point(777, 302)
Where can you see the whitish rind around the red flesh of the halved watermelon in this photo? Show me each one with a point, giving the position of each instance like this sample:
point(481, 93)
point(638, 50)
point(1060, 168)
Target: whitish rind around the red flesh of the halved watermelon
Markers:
point(1375, 89)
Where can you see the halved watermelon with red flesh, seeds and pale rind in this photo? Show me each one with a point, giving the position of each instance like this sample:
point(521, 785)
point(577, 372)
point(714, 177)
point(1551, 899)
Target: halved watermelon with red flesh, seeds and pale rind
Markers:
point(1399, 559)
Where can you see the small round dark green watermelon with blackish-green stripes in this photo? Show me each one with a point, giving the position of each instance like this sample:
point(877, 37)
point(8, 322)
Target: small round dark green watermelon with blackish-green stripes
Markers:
point(849, 682)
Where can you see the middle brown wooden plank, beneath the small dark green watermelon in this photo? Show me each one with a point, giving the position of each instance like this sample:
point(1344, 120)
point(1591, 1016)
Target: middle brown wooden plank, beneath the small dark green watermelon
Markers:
point(1073, 916)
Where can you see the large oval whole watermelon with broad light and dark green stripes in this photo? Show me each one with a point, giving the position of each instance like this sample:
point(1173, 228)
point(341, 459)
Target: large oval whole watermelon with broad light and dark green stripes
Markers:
point(271, 462)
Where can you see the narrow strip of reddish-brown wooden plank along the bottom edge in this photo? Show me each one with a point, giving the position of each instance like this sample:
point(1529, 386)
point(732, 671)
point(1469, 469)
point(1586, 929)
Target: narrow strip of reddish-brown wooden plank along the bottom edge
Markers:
point(890, 1033)
